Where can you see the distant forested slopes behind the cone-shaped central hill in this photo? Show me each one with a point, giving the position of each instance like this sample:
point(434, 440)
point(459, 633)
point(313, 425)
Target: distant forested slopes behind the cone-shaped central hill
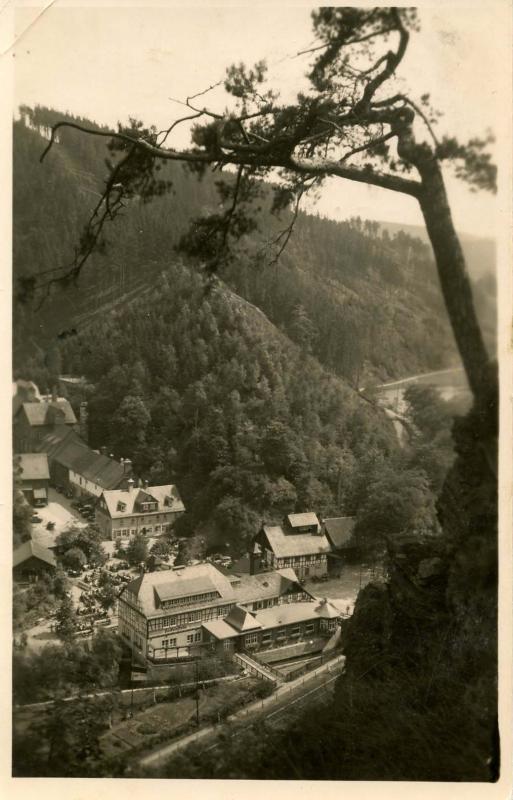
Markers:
point(365, 303)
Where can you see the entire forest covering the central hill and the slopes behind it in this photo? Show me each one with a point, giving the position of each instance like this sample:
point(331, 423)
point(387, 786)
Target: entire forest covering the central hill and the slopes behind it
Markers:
point(195, 384)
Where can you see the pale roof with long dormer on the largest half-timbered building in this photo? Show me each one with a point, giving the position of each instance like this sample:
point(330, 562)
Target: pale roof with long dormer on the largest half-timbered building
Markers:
point(148, 587)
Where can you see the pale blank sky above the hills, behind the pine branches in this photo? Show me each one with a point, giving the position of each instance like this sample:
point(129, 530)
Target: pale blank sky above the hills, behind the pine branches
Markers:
point(108, 63)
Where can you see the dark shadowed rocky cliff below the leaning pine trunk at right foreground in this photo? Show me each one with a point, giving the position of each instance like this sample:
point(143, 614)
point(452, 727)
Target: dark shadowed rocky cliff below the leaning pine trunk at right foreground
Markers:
point(428, 636)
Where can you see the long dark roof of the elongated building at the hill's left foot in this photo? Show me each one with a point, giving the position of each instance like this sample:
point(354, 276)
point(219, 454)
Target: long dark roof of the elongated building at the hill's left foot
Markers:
point(67, 448)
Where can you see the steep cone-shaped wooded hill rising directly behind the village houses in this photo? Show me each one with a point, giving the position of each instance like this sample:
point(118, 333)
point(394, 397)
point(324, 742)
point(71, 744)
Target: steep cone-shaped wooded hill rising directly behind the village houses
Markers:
point(200, 388)
